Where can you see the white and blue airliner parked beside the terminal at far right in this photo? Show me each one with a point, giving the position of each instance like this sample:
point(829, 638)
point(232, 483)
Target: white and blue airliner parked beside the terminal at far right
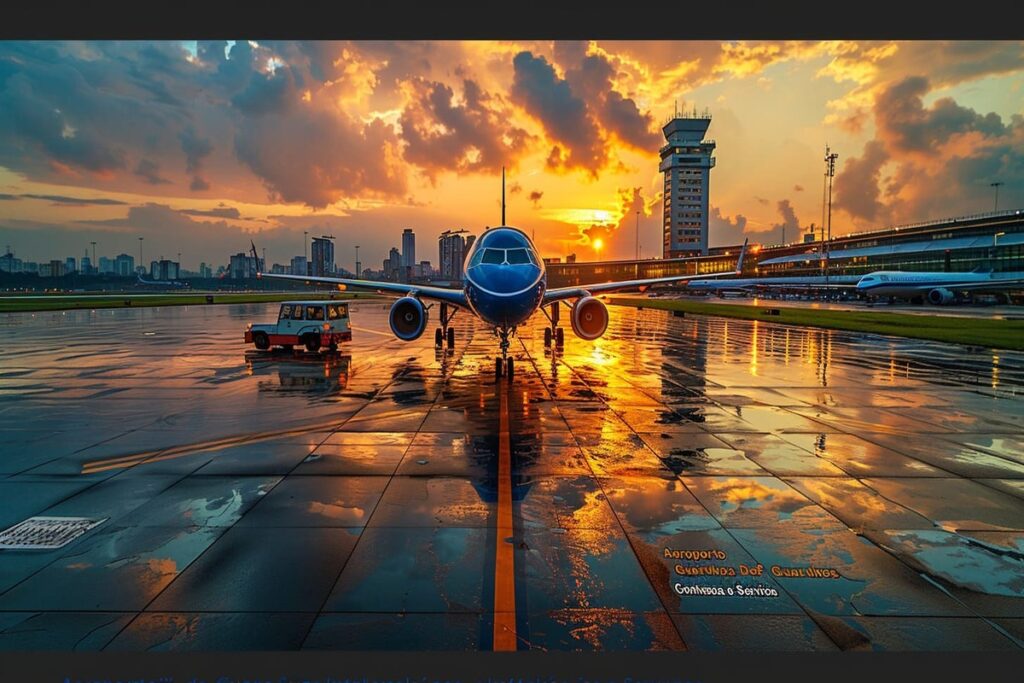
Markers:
point(936, 288)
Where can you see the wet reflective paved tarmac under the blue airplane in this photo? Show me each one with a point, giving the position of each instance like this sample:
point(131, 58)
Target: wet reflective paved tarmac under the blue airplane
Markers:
point(681, 484)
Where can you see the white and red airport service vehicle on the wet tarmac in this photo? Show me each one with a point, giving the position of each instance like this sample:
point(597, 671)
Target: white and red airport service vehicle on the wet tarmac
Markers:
point(315, 325)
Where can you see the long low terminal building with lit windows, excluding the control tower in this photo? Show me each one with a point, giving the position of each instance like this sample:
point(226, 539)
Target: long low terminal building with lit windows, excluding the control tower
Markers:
point(990, 241)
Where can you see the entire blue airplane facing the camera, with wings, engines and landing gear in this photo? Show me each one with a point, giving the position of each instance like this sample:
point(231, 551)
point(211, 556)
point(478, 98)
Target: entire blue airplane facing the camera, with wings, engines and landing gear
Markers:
point(505, 284)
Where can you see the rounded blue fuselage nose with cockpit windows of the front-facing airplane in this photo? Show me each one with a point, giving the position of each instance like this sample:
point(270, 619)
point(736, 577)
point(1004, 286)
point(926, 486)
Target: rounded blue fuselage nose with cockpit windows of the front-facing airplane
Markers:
point(505, 278)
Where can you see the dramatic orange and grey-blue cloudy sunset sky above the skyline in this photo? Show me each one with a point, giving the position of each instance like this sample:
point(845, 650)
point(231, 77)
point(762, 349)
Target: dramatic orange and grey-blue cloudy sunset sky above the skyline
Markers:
point(200, 147)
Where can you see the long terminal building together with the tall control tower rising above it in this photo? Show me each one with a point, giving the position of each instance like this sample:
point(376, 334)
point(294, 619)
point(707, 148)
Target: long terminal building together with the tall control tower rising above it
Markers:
point(991, 241)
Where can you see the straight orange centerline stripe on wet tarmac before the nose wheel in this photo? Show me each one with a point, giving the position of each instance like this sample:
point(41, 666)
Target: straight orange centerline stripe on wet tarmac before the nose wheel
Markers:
point(505, 635)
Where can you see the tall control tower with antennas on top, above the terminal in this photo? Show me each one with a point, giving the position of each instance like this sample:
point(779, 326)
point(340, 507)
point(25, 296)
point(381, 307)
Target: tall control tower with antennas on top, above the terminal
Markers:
point(687, 162)
